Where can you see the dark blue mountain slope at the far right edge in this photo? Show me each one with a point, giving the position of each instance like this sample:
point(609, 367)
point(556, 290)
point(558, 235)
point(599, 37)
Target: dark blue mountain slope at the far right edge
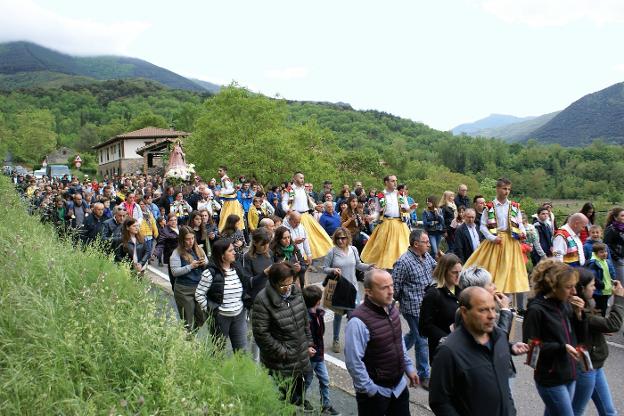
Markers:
point(597, 115)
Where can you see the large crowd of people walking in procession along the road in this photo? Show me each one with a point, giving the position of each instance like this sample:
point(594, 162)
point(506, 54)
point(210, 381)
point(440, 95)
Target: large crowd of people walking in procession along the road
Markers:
point(237, 256)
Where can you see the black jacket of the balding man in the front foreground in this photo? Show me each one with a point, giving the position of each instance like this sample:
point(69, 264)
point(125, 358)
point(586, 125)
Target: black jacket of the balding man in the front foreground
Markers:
point(468, 378)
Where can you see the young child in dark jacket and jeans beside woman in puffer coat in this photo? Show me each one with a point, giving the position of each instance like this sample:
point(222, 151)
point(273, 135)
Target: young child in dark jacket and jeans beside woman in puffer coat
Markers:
point(312, 296)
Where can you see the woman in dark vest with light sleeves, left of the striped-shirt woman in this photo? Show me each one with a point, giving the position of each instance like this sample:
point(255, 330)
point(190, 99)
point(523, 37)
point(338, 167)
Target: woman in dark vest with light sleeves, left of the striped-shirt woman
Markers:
point(187, 262)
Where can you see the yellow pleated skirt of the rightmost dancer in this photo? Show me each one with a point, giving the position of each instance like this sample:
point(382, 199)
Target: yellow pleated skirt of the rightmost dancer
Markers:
point(504, 262)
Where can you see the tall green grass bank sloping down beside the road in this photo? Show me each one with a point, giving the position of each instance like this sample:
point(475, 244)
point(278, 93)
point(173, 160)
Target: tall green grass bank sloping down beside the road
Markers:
point(80, 335)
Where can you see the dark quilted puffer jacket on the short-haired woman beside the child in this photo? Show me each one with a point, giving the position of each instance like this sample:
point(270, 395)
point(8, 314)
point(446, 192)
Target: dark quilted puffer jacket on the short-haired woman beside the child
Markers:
point(282, 331)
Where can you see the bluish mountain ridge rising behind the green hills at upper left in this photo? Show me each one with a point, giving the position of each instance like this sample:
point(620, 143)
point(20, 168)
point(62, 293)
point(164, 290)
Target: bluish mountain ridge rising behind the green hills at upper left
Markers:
point(25, 65)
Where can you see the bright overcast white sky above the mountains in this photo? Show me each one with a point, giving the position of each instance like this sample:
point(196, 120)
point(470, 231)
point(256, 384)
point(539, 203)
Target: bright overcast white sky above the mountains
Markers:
point(439, 62)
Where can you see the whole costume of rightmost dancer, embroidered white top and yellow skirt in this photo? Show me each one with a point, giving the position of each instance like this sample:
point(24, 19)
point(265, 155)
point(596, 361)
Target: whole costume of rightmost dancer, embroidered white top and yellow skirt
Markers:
point(504, 261)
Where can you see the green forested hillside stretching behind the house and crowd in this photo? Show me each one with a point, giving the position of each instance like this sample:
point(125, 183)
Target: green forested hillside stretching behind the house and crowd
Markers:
point(268, 138)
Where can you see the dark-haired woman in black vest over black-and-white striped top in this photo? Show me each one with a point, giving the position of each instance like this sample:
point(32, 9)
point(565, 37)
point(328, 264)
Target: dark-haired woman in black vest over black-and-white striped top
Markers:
point(223, 294)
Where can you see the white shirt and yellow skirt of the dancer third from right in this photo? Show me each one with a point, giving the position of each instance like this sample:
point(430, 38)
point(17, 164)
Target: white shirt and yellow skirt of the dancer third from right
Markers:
point(297, 199)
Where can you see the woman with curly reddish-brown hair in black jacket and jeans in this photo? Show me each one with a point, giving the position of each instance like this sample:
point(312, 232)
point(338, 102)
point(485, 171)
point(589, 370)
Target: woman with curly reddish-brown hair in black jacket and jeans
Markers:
point(553, 324)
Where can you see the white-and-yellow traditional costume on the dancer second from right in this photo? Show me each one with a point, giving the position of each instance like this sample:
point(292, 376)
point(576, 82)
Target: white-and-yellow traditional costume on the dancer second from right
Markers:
point(390, 239)
